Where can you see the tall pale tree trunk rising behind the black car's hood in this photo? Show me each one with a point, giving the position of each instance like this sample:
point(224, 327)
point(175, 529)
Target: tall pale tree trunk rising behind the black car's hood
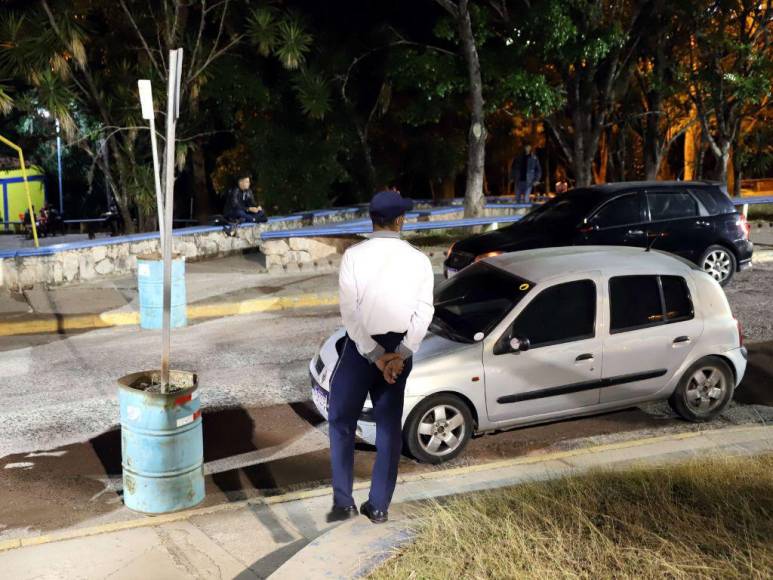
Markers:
point(476, 146)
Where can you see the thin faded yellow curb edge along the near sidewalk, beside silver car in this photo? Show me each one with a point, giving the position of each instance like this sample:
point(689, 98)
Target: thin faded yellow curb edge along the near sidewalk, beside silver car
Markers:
point(151, 521)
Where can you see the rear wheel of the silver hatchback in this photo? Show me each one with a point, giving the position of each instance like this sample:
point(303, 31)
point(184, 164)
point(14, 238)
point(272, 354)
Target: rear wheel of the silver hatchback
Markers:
point(704, 390)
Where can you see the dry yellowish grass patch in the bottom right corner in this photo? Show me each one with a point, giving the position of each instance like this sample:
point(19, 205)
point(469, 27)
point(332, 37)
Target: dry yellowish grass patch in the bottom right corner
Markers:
point(704, 519)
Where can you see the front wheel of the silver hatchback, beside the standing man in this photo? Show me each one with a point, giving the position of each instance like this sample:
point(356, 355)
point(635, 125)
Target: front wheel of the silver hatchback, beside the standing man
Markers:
point(438, 429)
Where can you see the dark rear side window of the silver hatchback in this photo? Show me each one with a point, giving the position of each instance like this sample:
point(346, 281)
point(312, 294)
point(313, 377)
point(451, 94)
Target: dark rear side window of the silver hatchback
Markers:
point(637, 301)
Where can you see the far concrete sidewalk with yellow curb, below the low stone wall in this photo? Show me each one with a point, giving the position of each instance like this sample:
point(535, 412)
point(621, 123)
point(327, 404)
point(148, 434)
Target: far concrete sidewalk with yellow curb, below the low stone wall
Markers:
point(217, 288)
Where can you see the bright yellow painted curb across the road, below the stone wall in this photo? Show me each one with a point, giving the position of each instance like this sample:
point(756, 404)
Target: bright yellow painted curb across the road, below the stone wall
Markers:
point(61, 324)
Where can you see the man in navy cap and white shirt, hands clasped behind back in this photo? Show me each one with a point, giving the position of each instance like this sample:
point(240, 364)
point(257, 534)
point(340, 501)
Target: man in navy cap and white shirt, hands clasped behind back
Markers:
point(386, 290)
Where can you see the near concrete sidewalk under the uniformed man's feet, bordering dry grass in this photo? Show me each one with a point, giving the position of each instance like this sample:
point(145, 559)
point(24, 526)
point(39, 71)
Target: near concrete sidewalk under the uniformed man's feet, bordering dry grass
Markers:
point(287, 536)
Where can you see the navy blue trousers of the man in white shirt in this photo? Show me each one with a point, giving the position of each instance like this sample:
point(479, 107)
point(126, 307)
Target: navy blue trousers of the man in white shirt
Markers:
point(353, 378)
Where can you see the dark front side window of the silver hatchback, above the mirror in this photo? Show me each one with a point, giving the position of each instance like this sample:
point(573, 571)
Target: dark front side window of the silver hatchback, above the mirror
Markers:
point(561, 313)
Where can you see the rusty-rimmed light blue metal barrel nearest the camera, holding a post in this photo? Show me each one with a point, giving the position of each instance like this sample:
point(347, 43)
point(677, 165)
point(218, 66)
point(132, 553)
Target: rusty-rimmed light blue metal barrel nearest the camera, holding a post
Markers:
point(161, 444)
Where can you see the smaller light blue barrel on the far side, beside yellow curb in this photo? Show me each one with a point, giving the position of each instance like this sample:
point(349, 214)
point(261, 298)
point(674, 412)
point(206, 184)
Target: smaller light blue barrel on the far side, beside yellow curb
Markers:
point(150, 280)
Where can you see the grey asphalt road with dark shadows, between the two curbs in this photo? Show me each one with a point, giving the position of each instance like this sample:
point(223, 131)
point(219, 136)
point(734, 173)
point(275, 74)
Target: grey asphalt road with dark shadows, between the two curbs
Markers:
point(60, 444)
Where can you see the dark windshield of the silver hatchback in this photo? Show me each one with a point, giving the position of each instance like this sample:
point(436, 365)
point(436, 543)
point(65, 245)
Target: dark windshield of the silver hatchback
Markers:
point(475, 301)
